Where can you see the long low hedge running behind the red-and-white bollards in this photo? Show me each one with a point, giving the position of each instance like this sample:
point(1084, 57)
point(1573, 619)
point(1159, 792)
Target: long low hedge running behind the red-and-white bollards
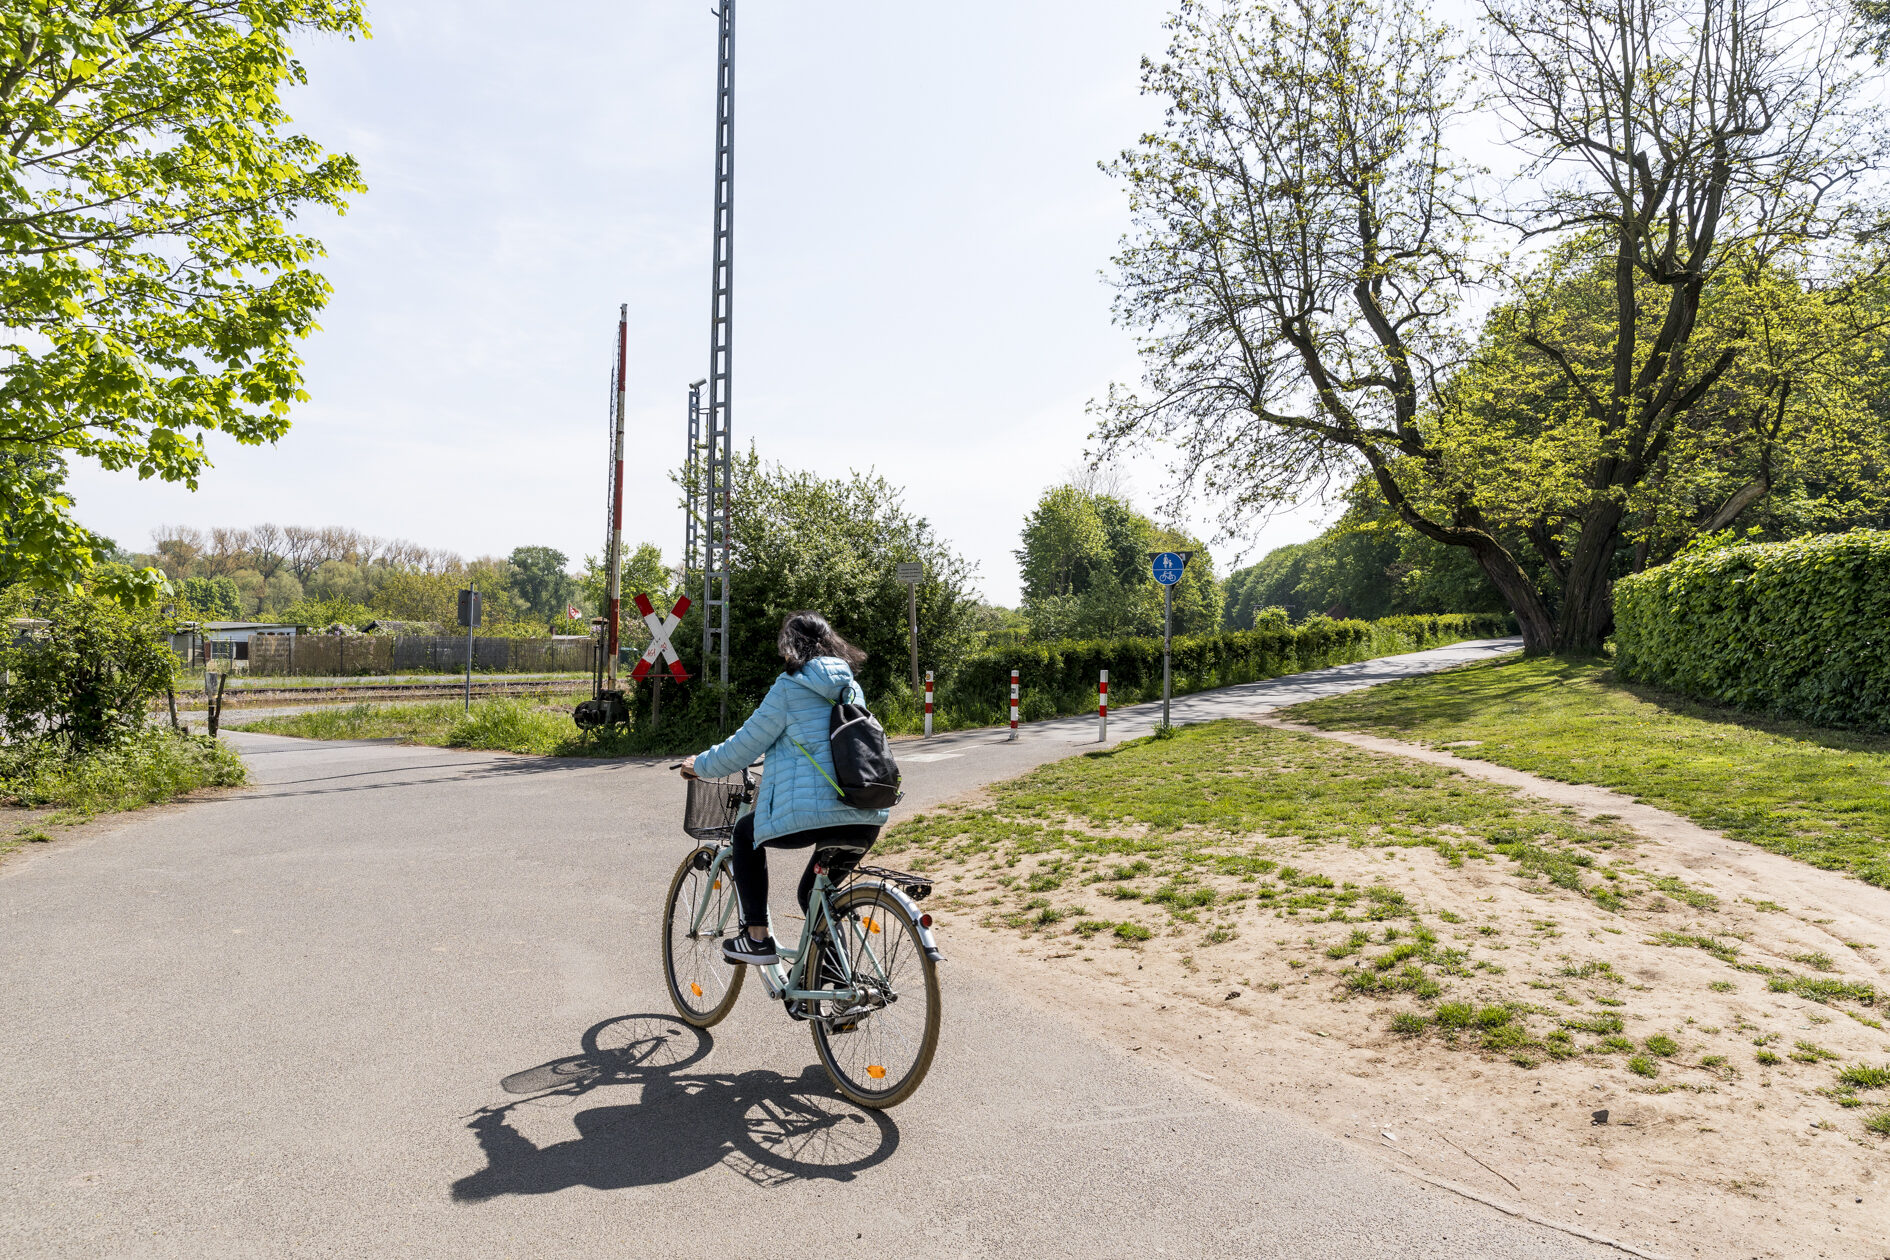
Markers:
point(1059, 679)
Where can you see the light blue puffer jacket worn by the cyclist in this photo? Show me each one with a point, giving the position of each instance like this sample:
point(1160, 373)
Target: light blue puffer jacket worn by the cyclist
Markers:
point(793, 796)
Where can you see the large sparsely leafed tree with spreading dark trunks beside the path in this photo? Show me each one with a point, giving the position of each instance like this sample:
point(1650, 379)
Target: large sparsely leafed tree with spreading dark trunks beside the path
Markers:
point(1305, 250)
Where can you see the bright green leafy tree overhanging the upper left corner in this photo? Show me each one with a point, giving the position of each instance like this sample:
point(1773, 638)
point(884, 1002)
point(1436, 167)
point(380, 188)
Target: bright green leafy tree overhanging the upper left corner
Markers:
point(150, 284)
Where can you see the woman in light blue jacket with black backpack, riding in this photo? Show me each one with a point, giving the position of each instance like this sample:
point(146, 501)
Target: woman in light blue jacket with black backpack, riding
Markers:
point(797, 804)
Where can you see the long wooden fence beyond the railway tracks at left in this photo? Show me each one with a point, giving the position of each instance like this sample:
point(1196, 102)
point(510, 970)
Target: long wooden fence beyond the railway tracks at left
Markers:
point(385, 655)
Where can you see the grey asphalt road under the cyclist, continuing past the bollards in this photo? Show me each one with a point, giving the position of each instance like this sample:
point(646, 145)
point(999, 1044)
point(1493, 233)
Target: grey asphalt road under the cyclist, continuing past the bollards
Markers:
point(407, 1002)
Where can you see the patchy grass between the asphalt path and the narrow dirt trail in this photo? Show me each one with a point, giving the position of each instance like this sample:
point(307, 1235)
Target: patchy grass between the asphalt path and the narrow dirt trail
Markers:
point(1231, 813)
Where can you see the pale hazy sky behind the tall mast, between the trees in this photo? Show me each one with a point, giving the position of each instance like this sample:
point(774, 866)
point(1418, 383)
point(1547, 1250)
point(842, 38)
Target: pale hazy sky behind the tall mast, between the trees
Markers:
point(921, 231)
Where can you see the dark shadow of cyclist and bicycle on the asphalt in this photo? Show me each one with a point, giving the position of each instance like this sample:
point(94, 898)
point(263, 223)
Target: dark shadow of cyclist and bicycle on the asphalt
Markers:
point(763, 1125)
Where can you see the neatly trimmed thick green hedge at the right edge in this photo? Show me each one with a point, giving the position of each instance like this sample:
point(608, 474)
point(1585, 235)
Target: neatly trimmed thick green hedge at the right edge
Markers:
point(1789, 628)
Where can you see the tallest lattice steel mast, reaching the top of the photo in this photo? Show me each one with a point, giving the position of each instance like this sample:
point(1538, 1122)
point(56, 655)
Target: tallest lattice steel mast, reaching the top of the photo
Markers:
point(719, 454)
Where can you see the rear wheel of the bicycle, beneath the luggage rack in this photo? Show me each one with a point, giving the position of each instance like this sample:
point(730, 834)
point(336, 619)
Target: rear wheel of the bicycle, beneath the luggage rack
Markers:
point(882, 1049)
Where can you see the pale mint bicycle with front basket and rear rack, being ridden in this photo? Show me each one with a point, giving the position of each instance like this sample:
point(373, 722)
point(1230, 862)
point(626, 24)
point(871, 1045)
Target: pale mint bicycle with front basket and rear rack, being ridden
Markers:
point(865, 974)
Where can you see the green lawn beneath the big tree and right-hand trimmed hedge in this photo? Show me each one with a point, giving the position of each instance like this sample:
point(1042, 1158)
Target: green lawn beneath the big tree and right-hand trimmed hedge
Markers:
point(1813, 794)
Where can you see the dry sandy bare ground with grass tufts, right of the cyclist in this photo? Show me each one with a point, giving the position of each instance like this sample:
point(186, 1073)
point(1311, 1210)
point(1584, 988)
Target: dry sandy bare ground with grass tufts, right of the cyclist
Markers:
point(1719, 1155)
